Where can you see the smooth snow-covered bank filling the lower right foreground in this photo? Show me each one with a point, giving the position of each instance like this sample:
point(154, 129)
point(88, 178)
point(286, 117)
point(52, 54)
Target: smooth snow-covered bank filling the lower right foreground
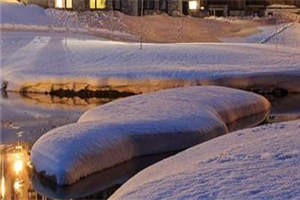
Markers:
point(257, 163)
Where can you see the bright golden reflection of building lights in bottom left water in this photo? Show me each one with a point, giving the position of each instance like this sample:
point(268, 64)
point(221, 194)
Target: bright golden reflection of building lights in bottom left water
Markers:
point(15, 176)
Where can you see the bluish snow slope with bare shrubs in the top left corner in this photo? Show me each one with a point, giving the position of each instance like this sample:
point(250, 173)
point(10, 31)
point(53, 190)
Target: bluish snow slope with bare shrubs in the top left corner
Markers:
point(19, 17)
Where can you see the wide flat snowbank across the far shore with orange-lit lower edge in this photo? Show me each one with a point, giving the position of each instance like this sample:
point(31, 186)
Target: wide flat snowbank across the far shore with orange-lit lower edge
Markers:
point(42, 61)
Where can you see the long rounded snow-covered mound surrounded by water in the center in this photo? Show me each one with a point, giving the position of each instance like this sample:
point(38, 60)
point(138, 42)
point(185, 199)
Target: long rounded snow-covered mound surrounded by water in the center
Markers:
point(146, 124)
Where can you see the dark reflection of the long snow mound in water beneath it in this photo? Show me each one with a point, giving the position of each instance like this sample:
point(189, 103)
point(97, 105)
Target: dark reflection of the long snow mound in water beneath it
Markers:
point(99, 185)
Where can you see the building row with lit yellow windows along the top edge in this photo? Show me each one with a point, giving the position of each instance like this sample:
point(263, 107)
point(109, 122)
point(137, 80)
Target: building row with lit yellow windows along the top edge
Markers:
point(172, 7)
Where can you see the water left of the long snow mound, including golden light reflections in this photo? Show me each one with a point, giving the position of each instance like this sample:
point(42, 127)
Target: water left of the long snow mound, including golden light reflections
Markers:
point(25, 118)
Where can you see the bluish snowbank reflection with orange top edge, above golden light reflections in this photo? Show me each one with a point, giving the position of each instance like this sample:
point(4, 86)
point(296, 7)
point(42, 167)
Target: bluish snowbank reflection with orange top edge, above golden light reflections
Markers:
point(28, 117)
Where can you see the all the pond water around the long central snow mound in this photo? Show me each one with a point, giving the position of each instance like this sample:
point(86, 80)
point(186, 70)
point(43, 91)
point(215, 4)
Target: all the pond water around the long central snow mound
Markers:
point(26, 118)
